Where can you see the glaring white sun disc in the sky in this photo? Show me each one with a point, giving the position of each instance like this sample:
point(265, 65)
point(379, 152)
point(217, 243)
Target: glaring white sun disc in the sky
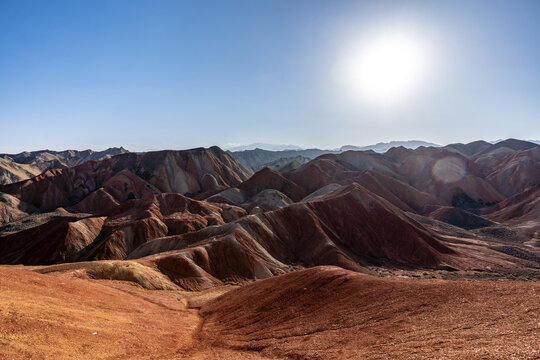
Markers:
point(387, 68)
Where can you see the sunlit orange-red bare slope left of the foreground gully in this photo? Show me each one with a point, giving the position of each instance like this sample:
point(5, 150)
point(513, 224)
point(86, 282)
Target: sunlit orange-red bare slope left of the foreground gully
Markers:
point(46, 317)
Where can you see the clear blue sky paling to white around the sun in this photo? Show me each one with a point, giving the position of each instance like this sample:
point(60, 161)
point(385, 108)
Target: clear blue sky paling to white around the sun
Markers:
point(150, 75)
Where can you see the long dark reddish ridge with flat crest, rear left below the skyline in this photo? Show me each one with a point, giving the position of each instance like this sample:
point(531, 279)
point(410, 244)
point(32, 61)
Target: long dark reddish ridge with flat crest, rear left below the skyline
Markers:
point(130, 175)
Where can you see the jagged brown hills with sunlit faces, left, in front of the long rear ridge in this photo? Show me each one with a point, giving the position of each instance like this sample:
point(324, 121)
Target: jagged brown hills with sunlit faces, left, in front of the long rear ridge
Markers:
point(111, 235)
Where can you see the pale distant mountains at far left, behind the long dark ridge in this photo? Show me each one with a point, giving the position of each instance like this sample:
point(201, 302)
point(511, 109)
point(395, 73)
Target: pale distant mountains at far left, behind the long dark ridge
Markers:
point(22, 166)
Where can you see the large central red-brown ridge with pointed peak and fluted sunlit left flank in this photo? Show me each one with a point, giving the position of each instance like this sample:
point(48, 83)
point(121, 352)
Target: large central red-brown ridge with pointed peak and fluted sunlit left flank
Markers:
point(350, 227)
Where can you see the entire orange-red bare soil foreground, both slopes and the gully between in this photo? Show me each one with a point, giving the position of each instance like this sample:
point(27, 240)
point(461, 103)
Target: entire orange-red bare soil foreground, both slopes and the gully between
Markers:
point(317, 313)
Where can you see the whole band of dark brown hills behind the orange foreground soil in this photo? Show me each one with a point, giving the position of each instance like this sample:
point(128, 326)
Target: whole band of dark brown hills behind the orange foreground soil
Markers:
point(354, 209)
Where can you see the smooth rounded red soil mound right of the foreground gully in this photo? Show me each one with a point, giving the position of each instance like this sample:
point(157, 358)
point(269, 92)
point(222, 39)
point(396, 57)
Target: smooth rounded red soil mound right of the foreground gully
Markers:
point(331, 313)
